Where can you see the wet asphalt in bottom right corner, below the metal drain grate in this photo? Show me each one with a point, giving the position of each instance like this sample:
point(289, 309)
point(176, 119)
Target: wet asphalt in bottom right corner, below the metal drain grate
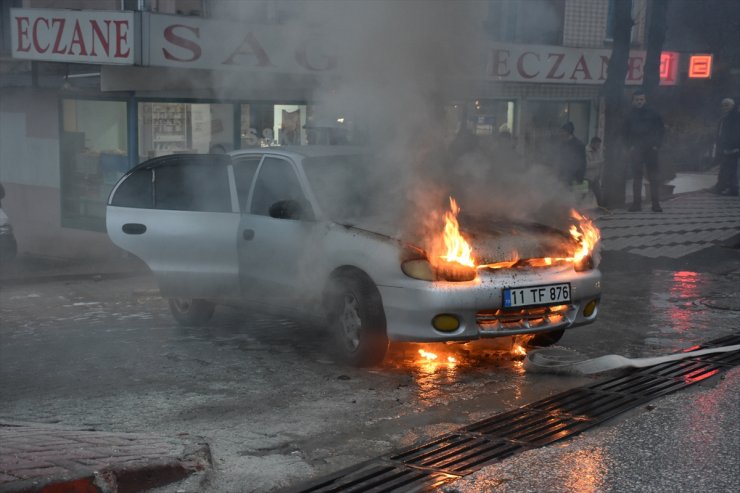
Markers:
point(684, 442)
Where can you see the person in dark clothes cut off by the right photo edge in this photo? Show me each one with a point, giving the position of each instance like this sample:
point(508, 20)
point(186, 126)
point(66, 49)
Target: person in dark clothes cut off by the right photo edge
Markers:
point(727, 149)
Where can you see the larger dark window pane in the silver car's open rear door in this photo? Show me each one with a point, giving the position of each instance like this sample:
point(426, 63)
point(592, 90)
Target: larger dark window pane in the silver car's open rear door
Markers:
point(192, 185)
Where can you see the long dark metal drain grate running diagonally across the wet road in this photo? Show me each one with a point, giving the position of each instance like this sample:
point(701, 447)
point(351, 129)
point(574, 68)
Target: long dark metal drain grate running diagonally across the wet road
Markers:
point(453, 455)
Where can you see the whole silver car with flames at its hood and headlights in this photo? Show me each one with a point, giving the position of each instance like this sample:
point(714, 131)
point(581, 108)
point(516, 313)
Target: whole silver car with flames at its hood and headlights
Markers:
point(287, 224)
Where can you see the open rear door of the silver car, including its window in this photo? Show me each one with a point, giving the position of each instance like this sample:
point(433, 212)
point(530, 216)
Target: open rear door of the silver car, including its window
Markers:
point(179, 214)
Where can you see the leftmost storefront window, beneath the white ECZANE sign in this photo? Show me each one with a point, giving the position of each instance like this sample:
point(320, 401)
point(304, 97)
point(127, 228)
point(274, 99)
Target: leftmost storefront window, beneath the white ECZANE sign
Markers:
point(94, 155)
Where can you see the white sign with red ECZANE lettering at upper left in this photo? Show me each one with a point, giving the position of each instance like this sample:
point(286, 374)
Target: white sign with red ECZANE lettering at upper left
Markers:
point(89, 36)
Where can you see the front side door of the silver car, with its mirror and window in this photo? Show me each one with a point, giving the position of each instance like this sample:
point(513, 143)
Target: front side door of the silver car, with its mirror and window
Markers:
point(275, 242)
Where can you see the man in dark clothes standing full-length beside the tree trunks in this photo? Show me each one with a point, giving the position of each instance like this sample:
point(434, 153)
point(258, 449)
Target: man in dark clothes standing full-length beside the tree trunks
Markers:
point(643, 134)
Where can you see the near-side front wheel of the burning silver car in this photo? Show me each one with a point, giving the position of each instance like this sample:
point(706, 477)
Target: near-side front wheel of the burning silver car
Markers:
point(357, 320)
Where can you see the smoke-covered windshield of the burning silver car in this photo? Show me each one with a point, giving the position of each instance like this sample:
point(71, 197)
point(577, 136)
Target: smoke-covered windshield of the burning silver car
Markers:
point(340, 185)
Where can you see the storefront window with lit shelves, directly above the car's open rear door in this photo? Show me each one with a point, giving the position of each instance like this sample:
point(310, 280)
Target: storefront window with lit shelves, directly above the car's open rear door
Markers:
point(172, 128)
